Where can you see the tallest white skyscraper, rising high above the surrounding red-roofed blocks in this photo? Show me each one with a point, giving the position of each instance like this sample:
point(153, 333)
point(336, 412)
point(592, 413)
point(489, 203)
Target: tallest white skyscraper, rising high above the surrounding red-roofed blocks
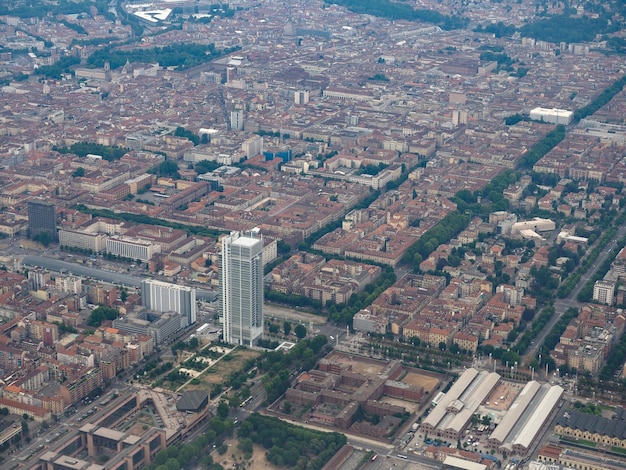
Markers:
point(241, 287)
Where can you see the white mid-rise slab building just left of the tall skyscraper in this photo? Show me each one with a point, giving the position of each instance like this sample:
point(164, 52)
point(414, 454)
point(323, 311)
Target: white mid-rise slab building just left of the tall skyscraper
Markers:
point(161, 296)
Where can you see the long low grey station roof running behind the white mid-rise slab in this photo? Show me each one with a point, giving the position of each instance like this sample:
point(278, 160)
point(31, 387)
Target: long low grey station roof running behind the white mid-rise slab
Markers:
point(98, 273)
